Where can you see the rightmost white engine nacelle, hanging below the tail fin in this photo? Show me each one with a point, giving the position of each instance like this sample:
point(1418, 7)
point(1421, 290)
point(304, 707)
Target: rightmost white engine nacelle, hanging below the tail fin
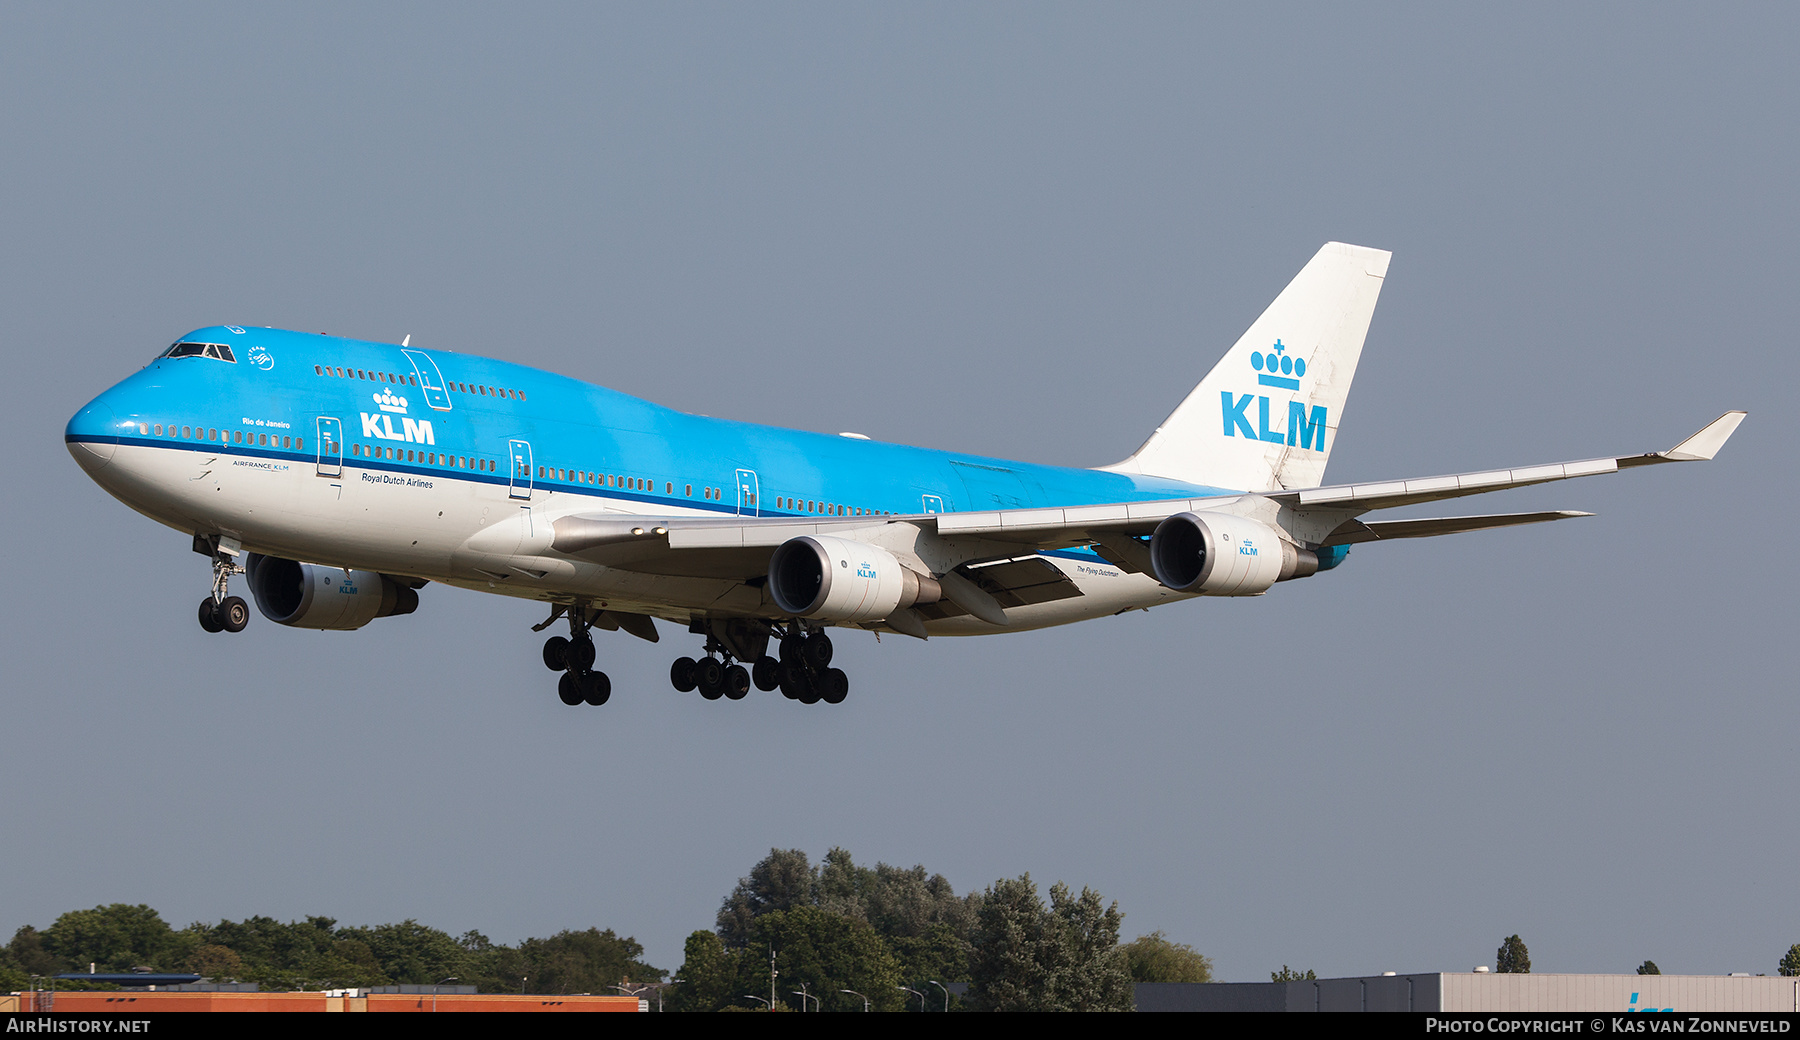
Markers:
point(1223, 555)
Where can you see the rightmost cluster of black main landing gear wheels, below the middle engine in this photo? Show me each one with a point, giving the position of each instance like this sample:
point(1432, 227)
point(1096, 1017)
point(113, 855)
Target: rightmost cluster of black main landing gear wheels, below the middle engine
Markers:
point(804, 672)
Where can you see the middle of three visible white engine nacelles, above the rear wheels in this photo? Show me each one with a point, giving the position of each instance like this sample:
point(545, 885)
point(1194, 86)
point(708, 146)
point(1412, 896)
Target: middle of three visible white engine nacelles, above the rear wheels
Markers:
point(841, 580)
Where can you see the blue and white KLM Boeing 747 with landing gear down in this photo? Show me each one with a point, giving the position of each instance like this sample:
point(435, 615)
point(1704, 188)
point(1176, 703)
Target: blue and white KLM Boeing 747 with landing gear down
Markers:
point(341, 478)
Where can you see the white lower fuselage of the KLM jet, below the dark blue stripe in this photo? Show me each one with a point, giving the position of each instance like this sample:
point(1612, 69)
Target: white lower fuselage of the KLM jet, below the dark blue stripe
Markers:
point(478, 533)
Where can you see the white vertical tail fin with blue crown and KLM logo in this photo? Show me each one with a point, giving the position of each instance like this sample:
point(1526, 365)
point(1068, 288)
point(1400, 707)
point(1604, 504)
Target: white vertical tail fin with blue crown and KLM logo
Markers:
point(1266, 417)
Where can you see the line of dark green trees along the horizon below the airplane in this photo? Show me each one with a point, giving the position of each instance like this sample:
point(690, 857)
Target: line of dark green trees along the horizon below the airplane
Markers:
point(791, 931)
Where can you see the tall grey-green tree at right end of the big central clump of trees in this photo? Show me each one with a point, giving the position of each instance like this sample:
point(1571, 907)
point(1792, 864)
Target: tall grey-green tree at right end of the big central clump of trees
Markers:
point(1059, 958)
